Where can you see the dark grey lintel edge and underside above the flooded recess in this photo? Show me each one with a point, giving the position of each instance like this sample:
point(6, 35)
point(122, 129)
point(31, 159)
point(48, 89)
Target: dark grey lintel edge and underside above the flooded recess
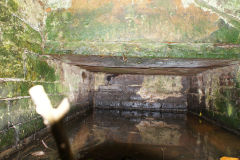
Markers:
point(146, 66)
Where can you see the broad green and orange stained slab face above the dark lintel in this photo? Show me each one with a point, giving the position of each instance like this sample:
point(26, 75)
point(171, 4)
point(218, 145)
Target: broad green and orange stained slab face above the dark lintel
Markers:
point(80, 24)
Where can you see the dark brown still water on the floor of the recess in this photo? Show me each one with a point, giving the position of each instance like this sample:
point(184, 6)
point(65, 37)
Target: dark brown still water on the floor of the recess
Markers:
point(131, 135)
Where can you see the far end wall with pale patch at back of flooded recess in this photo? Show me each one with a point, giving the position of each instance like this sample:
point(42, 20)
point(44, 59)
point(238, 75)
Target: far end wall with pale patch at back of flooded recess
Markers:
point(140, 92)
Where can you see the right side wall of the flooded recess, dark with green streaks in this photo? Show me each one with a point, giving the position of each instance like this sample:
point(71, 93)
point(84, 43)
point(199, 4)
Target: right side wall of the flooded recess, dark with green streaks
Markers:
point(215, 94)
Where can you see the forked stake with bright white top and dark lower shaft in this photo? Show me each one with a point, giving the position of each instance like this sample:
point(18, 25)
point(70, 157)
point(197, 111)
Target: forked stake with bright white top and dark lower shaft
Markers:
point(53, 117)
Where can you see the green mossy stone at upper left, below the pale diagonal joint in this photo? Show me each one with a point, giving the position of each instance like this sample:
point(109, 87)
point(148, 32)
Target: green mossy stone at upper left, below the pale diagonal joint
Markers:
point(16, 33)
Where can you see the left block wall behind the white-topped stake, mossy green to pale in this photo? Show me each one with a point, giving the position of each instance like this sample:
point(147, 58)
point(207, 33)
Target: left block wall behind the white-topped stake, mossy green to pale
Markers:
point(18, 117)
